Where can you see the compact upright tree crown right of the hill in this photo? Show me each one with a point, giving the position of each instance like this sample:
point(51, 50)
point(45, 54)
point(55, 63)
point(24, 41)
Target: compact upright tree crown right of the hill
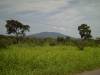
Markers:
point(84, 31)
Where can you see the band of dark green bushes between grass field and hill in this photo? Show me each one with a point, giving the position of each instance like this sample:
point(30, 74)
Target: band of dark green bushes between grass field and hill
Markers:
point(9, 40)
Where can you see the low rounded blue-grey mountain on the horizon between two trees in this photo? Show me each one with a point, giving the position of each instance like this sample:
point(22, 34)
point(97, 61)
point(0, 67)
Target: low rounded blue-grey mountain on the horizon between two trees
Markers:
point(48, 34)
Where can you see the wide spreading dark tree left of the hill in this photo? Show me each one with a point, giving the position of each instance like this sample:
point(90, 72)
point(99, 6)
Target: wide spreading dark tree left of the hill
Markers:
point(17, 28)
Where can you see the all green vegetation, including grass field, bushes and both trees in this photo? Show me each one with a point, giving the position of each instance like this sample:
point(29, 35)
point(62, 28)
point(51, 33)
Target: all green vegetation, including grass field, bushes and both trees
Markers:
point(21, 55)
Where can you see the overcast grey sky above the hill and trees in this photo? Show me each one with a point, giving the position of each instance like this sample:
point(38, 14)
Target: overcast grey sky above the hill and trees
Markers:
point(62, 16)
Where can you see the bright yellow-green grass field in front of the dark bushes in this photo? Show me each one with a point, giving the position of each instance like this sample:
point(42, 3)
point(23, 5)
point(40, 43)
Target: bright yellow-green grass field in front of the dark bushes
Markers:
point(47, 60)
